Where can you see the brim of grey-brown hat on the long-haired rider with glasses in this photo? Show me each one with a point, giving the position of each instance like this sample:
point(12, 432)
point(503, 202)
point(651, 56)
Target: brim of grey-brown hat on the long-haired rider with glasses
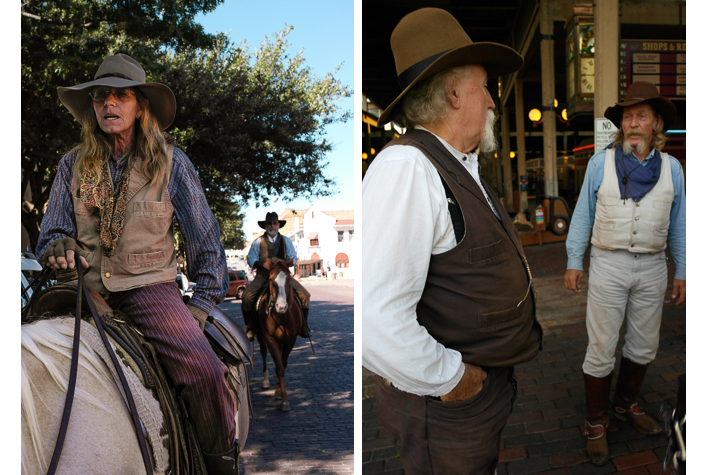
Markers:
point(160, 97)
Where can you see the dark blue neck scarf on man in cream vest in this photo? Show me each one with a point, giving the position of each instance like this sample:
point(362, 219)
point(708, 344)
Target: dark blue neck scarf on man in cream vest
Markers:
point(636, 180)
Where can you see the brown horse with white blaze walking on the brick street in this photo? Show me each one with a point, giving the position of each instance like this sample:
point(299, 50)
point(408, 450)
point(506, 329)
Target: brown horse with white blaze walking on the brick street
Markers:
point(280, 322)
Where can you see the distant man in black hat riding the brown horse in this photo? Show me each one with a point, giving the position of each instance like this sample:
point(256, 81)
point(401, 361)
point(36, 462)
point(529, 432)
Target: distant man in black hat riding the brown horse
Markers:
point(276, 247)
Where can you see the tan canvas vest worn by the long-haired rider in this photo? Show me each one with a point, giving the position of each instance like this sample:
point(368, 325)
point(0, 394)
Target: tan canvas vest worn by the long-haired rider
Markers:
point(145, 252)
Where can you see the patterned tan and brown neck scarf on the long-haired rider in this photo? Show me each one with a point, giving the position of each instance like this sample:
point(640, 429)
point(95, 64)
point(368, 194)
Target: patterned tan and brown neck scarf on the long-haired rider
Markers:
point(108, 206)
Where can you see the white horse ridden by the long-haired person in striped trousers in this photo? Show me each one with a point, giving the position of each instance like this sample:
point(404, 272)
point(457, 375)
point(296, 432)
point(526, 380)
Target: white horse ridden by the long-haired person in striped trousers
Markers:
point(100, 436)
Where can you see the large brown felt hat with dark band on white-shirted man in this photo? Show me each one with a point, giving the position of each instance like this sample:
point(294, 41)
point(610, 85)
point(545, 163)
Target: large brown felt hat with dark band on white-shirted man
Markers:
point(430, 40)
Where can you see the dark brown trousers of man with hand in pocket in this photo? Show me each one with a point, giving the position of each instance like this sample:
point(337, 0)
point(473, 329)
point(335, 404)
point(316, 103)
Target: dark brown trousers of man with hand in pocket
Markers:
point(451, 438)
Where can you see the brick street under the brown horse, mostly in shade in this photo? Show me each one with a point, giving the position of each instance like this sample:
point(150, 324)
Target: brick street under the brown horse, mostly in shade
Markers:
point(316, 436)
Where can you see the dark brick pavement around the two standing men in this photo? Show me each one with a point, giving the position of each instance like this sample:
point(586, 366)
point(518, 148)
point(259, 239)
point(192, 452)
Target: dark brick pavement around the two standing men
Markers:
point(544, 433)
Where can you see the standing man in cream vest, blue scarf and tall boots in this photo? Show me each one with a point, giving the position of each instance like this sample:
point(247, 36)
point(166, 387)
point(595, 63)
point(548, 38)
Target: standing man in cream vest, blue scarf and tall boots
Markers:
point(632, 201)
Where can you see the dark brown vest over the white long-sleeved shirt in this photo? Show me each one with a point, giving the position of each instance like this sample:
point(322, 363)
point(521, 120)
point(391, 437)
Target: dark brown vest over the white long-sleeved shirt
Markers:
point(478, 298)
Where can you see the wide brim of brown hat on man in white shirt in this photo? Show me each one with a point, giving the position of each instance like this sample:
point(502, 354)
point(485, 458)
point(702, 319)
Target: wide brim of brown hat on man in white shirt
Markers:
point(495, 58)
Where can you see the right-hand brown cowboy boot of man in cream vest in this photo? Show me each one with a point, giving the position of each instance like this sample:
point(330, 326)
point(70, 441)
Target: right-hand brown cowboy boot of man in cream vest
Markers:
point(628, 386)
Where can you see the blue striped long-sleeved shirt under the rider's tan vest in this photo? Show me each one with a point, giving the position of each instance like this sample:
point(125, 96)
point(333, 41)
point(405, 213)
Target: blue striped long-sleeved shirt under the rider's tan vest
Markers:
point(207, 263)
